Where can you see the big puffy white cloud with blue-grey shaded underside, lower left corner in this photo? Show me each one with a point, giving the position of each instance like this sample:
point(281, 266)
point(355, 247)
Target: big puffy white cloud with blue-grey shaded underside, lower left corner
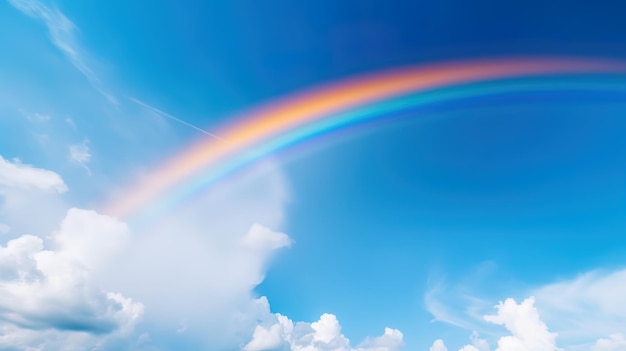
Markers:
point(54, 287)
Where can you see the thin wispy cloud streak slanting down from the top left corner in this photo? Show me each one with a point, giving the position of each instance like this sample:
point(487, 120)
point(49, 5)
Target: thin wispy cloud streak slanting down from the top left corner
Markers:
point(62, 34)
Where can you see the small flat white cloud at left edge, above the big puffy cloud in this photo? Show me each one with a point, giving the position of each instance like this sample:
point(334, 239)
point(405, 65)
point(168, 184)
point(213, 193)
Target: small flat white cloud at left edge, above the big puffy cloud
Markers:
point(18, 175)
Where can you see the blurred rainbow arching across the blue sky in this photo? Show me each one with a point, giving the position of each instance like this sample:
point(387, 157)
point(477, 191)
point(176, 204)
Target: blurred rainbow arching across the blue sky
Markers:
point(285, 122)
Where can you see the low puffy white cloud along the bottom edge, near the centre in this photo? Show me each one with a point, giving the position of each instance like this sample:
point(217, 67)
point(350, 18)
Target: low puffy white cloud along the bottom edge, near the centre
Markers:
point(322, 335)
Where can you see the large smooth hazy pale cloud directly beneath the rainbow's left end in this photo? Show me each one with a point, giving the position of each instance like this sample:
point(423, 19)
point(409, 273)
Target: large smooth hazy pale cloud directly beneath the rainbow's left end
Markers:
point(199, 265)
